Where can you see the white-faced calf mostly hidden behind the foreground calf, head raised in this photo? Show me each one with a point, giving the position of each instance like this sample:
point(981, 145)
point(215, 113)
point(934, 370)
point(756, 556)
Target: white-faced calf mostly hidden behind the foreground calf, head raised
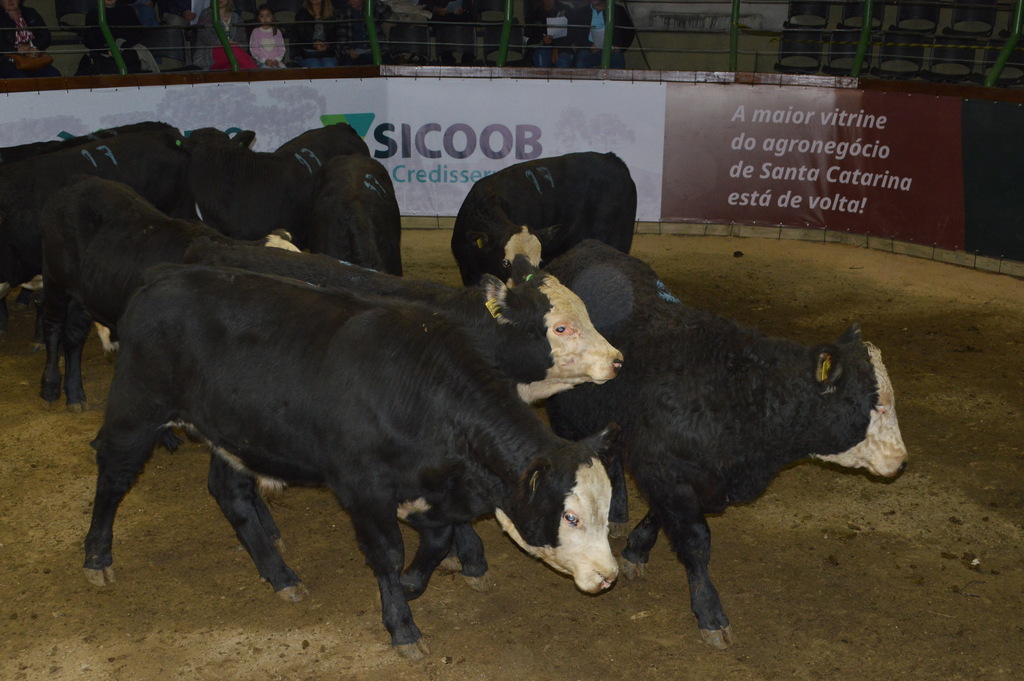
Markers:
point(540, 336)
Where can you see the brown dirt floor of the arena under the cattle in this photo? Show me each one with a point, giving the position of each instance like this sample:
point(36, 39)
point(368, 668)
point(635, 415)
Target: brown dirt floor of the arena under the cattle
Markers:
point(831, 575)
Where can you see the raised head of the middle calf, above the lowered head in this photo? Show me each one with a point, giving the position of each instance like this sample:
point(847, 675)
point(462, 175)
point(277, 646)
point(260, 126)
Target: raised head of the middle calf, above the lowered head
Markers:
point(579, 353)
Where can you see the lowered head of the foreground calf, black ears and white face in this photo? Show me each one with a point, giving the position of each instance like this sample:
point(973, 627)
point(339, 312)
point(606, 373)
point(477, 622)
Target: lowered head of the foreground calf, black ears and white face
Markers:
point(559, 513)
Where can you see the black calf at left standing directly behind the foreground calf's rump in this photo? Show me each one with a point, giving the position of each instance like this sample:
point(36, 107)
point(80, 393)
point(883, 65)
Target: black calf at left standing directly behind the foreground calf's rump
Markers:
point(99, 238)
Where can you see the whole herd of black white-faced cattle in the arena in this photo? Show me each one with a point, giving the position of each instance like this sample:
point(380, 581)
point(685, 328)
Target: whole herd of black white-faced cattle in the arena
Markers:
point(316, 363)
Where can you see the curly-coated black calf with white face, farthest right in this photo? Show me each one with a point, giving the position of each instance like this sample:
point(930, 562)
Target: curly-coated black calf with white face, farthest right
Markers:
point(711, 411)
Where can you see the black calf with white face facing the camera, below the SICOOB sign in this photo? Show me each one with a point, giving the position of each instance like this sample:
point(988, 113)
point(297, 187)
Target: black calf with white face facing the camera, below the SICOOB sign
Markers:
point(542, 208)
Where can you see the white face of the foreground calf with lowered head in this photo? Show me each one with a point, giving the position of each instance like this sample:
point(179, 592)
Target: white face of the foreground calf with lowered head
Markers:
point(583, 549)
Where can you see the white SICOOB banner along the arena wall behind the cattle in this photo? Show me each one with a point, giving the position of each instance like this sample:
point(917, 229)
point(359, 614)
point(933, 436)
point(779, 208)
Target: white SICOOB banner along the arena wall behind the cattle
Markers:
point(436, 136)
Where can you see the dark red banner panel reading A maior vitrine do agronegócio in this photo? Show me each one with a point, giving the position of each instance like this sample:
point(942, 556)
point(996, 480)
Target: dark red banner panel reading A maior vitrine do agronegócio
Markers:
point(882, 164)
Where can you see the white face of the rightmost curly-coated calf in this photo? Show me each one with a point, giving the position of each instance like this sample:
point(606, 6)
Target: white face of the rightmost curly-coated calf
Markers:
point(882, 452)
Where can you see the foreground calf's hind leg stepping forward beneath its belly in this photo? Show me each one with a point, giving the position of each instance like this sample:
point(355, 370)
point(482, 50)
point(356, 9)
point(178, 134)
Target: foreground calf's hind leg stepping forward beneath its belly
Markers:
point(239, 499)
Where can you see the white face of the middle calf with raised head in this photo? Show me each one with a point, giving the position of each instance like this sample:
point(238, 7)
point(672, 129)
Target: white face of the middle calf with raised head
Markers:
point(581, 355)
